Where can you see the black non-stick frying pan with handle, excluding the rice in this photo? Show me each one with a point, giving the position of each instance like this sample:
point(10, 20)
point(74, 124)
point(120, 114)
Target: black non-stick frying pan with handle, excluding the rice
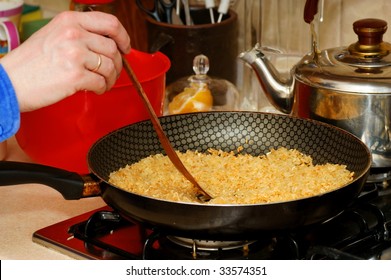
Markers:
point(256, 132)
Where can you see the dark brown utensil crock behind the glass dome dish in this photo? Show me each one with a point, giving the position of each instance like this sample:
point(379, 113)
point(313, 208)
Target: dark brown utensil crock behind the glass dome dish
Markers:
point(181, 43)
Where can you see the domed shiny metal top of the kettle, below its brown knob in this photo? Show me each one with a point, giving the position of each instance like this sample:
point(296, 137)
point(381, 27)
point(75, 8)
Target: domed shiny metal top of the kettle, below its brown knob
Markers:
point(331, 70)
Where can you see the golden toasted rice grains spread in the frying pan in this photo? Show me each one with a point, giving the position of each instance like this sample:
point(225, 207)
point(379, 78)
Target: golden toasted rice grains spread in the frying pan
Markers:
point(230, 178)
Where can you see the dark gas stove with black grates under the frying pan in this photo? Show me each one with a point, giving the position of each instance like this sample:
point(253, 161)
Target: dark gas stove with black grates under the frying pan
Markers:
point(362, 231)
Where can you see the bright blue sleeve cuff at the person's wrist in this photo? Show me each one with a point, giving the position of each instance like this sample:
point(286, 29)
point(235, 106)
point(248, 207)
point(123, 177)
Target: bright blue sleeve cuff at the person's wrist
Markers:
point(9, 107)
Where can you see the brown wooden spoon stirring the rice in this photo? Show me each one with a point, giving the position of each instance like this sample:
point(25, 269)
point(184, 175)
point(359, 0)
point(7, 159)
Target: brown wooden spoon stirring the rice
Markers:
point(202, 195)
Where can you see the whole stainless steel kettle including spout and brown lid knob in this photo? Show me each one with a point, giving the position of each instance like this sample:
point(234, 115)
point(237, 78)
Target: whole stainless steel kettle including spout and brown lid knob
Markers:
point(349, 87)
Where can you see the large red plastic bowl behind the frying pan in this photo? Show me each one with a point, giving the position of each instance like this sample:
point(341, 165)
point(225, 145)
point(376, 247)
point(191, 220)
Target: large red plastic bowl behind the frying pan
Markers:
point(60, 135)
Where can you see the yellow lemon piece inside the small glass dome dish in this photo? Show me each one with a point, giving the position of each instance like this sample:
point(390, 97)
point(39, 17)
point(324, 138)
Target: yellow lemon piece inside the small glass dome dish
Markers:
point(196, 98)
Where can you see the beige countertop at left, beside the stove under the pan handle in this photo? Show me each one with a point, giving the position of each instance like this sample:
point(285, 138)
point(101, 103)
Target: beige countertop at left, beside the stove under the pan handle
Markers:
point(29, 207)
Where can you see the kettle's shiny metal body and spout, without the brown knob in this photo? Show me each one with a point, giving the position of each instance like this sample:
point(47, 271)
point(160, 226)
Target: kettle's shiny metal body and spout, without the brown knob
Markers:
point(359, 102)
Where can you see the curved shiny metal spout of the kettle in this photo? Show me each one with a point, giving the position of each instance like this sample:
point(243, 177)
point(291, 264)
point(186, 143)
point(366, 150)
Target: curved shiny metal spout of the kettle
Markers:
point(279, 91)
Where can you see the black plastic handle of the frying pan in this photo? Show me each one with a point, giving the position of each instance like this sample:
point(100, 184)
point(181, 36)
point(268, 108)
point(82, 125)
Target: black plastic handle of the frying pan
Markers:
point(69, 184)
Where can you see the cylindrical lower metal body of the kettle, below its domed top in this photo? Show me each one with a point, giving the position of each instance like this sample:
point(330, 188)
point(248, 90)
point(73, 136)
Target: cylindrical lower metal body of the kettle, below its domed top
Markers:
point(365, 115)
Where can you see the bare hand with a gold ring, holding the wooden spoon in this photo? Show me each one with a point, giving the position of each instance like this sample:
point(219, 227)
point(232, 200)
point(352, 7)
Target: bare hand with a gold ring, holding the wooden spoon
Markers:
point(74, 51)
